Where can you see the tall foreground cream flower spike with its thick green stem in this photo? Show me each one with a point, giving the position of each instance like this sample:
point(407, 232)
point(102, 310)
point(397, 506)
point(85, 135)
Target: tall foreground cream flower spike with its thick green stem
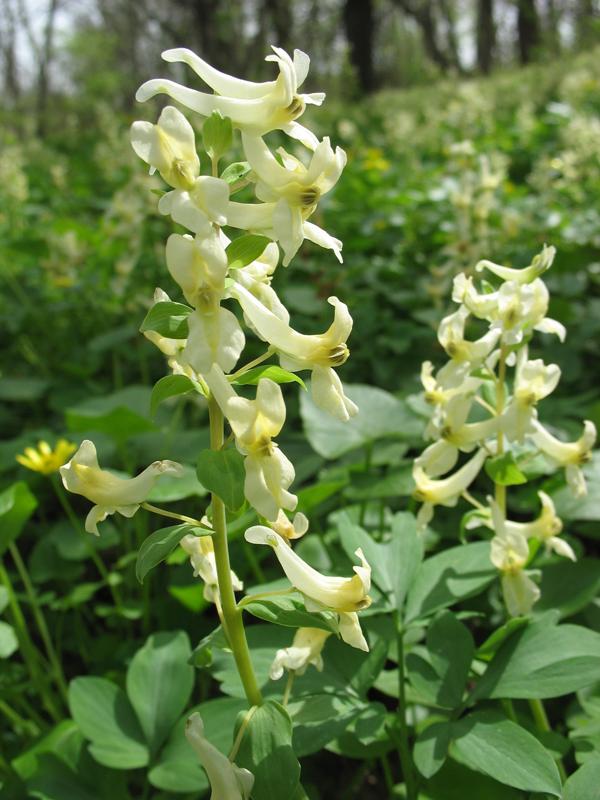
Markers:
point(203, 340)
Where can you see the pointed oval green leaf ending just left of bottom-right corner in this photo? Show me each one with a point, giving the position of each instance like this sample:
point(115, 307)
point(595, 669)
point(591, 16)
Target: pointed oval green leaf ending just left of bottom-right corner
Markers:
point(489, 743)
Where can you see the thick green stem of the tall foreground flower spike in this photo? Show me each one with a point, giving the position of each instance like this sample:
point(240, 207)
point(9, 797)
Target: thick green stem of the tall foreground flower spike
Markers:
point(234, 625)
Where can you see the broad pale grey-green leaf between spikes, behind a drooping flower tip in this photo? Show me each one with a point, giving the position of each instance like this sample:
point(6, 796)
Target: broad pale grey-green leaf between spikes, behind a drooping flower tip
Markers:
point(380, 415)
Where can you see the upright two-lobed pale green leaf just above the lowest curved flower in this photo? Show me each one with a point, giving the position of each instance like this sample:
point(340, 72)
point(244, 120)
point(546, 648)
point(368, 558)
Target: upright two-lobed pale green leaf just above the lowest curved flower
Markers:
point(393, 563)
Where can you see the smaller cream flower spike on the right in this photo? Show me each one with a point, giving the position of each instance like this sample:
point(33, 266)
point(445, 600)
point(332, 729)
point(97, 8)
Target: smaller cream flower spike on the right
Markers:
point(479, 411)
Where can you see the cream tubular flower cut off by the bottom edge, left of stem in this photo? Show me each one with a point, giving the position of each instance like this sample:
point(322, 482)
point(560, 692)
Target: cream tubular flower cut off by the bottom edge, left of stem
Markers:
point(227, 781)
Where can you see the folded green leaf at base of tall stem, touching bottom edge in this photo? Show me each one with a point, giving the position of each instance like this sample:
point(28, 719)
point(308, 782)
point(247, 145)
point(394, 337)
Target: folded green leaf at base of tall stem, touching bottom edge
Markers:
point(266, 750)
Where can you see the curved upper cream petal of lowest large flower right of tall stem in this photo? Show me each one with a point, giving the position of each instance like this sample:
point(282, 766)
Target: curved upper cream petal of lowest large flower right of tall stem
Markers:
point(336, 594)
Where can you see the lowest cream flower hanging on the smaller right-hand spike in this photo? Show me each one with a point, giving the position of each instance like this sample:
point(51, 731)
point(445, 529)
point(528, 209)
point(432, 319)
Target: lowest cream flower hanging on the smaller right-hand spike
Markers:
point(509, 554)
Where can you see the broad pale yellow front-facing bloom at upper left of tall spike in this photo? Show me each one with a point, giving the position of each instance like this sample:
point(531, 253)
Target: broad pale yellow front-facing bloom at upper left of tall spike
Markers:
point(169, 147)
